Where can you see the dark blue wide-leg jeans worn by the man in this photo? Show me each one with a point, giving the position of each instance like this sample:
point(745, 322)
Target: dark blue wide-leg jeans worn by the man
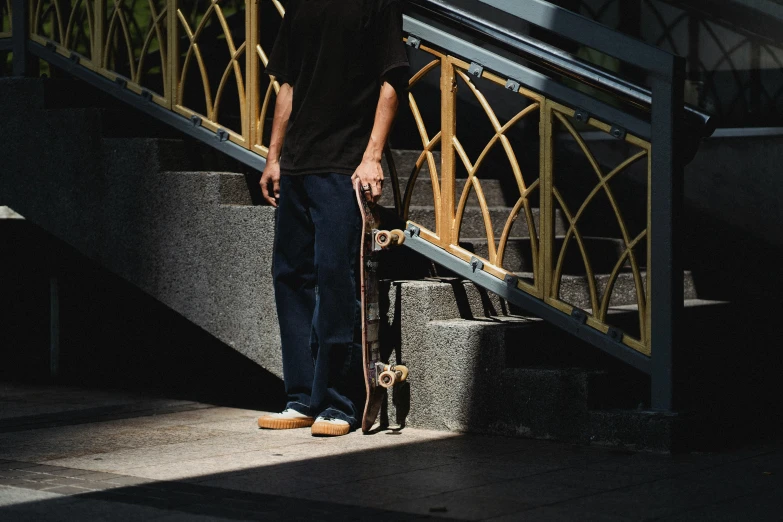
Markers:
point(315, 269)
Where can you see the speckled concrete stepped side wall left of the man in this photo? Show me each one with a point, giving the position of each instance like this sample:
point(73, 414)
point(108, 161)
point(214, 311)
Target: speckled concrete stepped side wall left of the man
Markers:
point(134, 205)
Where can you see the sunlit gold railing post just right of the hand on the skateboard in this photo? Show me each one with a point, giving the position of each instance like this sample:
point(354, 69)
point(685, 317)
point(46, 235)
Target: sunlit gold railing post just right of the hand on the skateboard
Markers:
point(444, 216)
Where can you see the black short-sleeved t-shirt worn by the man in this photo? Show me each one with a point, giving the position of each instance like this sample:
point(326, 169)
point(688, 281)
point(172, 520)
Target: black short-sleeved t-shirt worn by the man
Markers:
point(335, 54)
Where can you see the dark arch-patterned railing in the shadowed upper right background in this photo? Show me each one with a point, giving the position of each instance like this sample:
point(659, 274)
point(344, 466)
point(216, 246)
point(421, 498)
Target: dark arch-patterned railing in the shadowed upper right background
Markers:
point(714, 47)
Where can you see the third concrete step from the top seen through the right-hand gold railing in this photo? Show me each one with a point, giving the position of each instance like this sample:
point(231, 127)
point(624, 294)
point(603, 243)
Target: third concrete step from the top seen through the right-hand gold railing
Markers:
point(473, 221)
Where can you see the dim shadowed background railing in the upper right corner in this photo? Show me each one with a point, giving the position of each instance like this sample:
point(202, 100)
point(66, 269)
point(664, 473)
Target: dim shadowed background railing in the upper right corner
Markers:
point(736, 95)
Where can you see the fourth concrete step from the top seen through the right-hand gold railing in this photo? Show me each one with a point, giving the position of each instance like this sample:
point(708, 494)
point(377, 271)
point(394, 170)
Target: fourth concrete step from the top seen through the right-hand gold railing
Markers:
point(518, 257)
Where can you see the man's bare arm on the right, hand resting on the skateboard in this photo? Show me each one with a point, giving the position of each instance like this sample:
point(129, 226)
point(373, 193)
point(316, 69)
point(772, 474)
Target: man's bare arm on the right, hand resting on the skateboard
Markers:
point(369, 173)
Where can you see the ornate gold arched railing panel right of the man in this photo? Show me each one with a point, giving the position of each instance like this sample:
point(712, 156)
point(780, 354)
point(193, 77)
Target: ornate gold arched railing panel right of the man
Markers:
point(545, 188)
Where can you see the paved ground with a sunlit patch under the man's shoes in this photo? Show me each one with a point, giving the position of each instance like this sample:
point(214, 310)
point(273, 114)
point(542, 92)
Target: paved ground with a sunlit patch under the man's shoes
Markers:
point(76, 454)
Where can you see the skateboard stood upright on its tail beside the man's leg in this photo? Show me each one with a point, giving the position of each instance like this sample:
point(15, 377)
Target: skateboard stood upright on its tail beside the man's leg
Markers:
point(379, 375)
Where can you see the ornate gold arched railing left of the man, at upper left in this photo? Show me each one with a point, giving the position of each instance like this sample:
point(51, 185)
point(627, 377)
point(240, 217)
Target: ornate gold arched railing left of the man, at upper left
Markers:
point(188, 56)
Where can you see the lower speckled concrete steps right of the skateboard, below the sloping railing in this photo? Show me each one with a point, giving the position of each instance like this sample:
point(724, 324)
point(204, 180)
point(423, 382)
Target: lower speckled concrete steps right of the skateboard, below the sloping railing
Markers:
point(482, 369)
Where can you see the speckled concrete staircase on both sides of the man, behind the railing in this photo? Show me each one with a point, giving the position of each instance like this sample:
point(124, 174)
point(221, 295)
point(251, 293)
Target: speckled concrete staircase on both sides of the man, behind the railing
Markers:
point(183, 225)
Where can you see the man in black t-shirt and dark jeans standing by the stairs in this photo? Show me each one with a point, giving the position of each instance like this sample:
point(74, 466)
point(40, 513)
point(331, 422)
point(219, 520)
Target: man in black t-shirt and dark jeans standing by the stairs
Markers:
point(339, 64)
